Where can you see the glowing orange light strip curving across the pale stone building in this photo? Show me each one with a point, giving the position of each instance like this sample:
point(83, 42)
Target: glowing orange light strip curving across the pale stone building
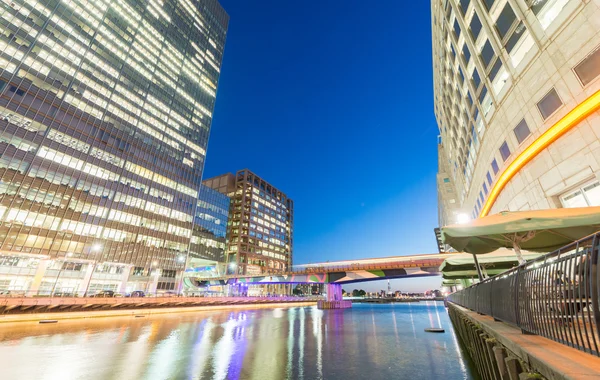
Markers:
point(570, 120)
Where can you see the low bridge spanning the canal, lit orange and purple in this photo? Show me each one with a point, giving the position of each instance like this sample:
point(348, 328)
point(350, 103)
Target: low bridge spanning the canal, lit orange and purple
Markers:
point(341, 272)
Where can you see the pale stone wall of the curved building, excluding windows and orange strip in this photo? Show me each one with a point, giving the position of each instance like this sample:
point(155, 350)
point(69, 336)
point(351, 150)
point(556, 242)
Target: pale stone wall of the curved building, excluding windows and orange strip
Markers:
point(543, 59)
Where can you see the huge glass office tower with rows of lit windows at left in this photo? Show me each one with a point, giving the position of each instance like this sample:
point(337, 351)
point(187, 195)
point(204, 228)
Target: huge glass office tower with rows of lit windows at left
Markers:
point(105, 112)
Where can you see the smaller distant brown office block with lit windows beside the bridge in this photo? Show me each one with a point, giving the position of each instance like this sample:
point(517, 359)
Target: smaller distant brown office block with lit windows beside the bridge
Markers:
point(260, 226)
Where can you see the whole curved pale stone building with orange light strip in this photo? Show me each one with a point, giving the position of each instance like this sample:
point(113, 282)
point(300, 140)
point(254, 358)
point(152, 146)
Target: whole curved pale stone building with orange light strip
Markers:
point(517, 99)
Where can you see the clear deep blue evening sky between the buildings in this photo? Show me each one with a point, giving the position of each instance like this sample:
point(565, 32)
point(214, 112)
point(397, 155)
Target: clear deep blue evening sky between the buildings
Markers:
point(332, 103)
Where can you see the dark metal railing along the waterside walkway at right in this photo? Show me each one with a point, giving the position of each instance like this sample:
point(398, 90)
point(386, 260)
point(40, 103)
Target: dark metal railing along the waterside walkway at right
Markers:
point(554, 296)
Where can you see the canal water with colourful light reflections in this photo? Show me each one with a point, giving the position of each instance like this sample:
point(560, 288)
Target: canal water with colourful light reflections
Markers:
point(365, 342)
